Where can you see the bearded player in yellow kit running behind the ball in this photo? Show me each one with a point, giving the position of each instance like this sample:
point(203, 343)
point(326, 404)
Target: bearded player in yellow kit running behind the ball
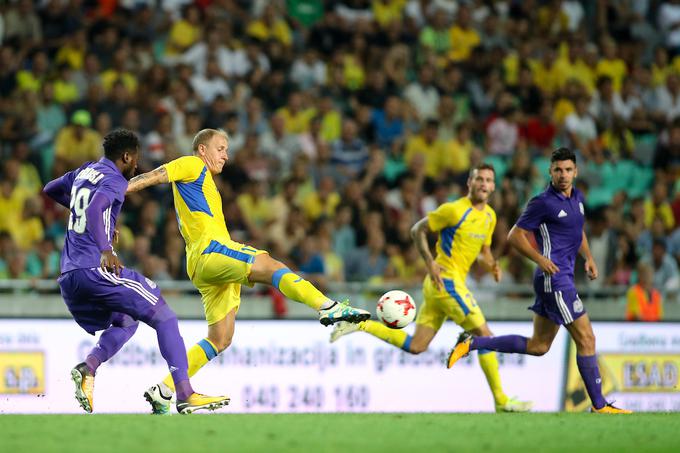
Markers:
point(464, 228)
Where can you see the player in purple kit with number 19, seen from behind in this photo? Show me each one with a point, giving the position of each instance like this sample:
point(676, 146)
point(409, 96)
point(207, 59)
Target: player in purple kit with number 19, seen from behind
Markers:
point(98, 291)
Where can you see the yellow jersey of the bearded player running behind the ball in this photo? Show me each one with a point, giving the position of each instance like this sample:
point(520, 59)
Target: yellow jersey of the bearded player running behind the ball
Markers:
point(462, 231)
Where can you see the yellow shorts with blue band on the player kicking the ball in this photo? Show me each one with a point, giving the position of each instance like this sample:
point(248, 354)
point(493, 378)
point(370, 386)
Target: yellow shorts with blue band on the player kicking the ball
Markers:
point(220, 271)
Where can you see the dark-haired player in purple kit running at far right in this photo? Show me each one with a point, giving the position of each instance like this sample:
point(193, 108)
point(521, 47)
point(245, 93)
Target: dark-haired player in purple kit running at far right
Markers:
point(555, 217)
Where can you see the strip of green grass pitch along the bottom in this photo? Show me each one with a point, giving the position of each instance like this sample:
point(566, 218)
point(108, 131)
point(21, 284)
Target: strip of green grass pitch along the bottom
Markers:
point(355, 433)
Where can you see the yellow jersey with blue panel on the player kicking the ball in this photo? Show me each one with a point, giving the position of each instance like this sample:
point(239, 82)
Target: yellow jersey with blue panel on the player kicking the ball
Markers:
point(198, 206)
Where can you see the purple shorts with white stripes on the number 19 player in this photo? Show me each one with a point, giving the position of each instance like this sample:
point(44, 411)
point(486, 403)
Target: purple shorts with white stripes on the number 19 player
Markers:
point(94, 295)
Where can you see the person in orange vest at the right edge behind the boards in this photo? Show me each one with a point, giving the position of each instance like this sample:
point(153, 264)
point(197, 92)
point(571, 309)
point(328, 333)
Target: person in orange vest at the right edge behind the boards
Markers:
point(644, 301)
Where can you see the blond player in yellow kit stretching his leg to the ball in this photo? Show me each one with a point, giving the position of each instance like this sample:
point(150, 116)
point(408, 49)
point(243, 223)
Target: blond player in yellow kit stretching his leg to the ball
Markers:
point(217, 265)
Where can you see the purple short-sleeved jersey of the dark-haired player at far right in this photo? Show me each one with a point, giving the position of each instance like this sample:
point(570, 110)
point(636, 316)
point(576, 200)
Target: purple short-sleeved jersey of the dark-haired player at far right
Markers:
point(557, 224)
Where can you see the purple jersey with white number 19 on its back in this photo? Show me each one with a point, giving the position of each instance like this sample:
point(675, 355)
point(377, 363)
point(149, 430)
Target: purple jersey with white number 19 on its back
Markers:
point(90, 230)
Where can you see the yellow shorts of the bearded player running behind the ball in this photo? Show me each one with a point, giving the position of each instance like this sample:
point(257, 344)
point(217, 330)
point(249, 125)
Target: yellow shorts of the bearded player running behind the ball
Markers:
point(454, 301)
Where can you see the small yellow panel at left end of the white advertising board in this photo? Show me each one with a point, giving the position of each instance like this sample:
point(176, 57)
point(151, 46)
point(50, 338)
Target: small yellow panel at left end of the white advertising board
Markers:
point(22, 372)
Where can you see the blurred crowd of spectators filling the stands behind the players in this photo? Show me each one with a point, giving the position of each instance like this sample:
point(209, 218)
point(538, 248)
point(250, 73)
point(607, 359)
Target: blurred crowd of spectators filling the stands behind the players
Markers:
point(348, 121)
